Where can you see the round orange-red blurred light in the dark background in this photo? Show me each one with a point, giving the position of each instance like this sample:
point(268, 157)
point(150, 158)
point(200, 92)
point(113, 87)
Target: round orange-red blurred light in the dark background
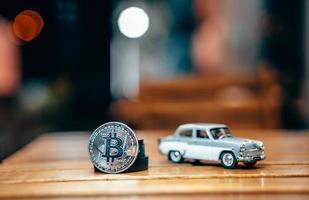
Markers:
point(27, 25)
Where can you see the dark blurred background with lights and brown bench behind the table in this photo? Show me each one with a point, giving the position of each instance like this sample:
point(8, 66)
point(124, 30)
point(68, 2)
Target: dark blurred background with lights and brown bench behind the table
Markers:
point(70, 65)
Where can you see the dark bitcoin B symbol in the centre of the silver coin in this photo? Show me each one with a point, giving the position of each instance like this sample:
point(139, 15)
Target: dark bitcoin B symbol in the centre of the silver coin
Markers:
point(109, 146)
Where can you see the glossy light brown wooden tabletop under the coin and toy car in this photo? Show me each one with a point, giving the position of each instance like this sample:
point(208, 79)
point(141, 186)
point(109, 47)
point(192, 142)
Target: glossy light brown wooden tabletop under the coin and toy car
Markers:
point(57, 166)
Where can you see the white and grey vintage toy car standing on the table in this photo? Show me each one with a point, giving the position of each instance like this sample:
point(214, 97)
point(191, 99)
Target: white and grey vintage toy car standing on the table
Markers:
point(212, 142)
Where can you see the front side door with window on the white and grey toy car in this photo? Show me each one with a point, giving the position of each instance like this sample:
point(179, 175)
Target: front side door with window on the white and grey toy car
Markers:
point(201, 146)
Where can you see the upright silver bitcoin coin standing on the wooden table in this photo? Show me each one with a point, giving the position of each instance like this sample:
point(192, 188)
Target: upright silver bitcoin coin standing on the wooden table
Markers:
point(113, 147)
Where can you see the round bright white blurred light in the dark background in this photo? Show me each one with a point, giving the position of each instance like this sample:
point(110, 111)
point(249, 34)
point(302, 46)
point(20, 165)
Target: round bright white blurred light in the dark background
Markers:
point(133, 22)
